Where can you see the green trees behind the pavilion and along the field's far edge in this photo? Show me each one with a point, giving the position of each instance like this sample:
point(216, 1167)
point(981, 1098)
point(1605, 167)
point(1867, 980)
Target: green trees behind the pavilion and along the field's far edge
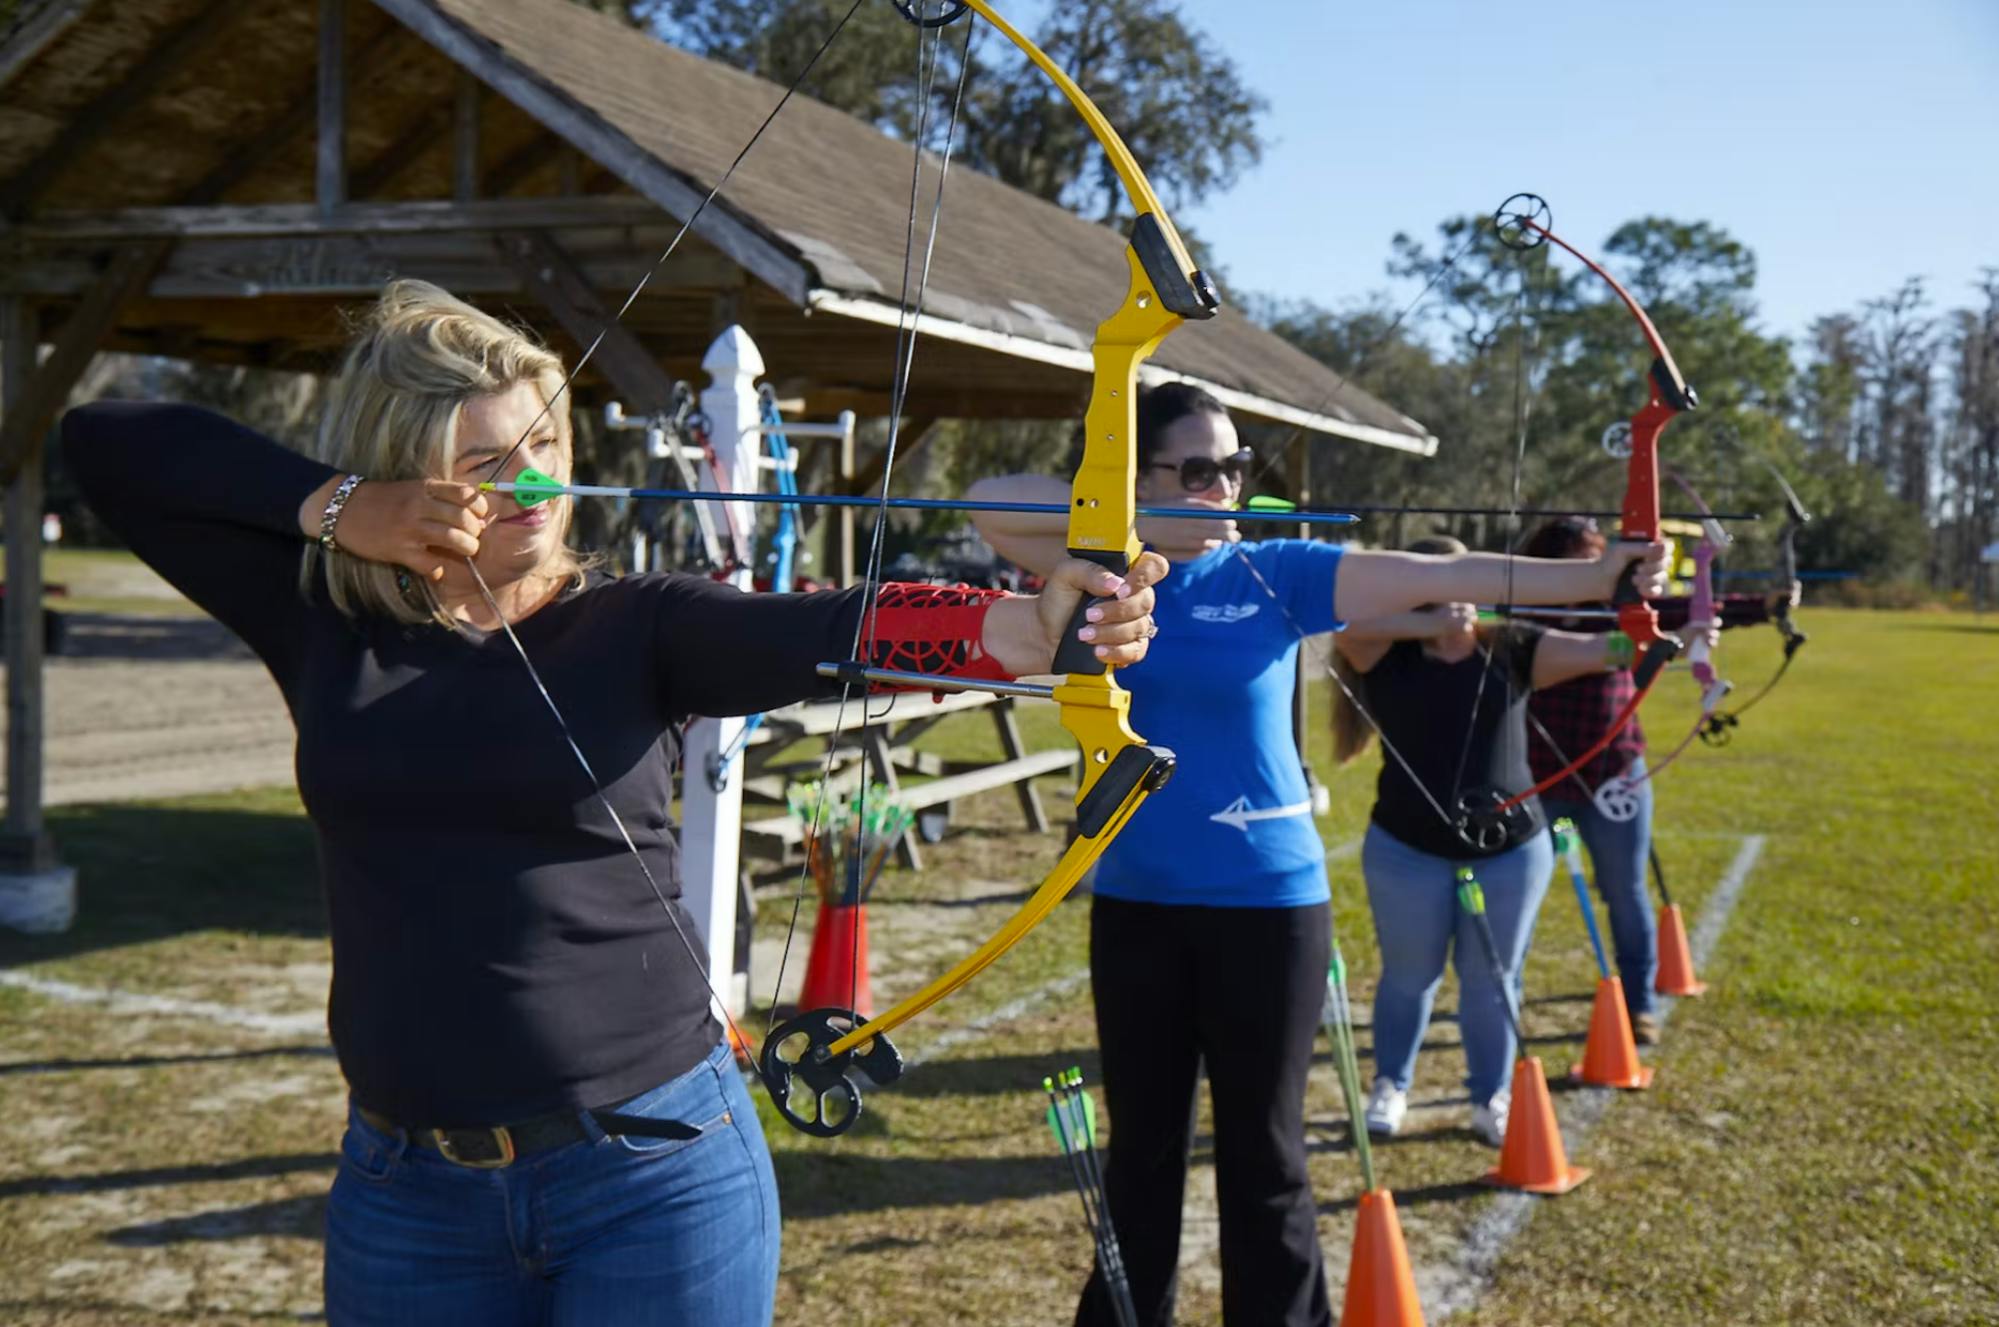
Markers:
point(1886, 419)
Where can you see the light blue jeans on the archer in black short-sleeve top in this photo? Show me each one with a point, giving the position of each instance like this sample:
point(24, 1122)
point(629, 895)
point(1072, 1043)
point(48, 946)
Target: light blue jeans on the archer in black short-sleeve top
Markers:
point(1418, 922)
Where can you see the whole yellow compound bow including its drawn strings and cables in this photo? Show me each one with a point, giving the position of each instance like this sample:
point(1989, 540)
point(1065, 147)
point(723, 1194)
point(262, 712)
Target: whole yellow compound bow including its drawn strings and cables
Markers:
point(809, 1064)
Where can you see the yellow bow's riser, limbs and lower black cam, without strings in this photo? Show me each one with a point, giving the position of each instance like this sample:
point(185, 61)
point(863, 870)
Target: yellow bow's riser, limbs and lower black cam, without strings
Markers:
point(1118, 768)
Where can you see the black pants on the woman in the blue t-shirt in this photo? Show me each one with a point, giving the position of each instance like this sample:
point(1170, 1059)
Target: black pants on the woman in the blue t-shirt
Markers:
point(1238, 990)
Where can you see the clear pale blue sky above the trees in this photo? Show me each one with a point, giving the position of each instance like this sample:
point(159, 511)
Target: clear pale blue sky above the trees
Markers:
point(1850, 145)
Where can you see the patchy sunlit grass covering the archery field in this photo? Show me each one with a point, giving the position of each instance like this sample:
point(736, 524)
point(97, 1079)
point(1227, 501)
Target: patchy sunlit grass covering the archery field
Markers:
point(1822, 1144)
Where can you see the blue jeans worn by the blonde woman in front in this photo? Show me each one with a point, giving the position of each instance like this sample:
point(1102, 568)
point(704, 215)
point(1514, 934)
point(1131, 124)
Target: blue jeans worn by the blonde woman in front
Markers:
point(613, 1232)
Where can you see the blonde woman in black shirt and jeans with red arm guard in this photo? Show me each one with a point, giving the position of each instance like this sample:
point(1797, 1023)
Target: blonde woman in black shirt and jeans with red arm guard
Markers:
point(547, 1124)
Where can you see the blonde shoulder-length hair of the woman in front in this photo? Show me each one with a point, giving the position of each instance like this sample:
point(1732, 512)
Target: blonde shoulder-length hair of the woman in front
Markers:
point(419, 357)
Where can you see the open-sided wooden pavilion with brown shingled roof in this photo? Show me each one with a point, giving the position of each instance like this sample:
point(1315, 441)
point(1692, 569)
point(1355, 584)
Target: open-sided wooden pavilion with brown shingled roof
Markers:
point(223, 181)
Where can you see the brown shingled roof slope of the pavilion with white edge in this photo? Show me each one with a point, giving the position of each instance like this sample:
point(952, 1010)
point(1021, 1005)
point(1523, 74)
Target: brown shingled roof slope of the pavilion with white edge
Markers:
point(1012, 273)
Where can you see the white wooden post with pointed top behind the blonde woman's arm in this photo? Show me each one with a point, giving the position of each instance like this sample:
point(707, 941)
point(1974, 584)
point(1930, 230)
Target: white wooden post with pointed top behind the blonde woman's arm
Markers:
point(713, 816)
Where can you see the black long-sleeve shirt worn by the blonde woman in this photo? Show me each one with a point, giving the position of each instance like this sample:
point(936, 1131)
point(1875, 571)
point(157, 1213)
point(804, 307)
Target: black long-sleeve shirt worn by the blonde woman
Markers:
point(497, 948)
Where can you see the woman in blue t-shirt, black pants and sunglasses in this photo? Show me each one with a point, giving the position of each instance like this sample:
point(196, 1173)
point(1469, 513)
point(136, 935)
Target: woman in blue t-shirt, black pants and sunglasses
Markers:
point(1210, 928)
